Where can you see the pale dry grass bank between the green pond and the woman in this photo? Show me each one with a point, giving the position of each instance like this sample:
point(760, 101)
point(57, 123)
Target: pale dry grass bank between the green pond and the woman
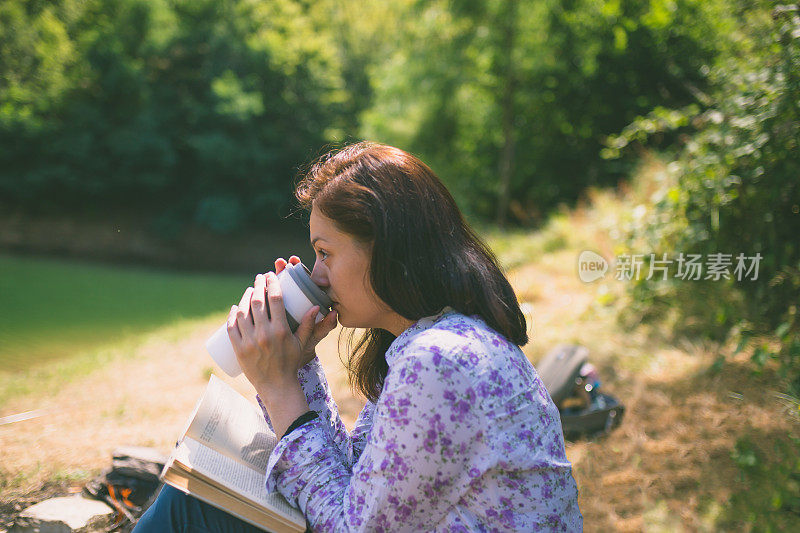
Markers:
point(141, 397)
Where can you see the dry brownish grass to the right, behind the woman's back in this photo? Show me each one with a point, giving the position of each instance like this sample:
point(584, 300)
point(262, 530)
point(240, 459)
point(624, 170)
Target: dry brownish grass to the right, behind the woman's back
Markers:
point(669, 466)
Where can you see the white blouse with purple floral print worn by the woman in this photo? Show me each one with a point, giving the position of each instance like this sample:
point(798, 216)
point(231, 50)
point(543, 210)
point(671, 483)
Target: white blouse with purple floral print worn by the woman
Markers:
point(464, 437)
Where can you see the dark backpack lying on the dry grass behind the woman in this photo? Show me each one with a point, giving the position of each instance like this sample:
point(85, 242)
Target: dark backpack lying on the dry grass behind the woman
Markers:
point(574, 385)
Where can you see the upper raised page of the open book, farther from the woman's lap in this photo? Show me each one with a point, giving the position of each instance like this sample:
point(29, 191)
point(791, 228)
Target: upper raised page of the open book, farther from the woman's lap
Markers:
point(227, 422)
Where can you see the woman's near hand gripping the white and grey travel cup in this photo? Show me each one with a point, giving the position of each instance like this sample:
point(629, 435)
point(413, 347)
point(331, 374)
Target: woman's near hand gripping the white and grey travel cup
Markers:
point(269, 354)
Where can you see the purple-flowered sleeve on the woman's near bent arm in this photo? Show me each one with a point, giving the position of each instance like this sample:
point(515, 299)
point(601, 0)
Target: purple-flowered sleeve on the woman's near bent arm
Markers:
point(415, 464)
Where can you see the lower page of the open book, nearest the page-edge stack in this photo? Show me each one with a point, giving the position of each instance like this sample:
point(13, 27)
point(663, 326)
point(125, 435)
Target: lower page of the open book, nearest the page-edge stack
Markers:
point(240, 479)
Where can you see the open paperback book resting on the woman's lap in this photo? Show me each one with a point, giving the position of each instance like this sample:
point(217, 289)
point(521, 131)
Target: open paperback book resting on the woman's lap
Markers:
point(221, 458)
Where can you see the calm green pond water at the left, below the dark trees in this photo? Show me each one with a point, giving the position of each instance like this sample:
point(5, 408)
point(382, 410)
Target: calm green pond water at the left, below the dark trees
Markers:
point(52, 309)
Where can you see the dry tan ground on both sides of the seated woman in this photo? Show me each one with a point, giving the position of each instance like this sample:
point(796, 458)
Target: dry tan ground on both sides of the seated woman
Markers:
point(668, 467)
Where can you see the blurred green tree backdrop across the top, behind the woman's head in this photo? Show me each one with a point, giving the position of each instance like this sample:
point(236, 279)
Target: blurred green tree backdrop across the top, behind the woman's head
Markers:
point(199, 111)
